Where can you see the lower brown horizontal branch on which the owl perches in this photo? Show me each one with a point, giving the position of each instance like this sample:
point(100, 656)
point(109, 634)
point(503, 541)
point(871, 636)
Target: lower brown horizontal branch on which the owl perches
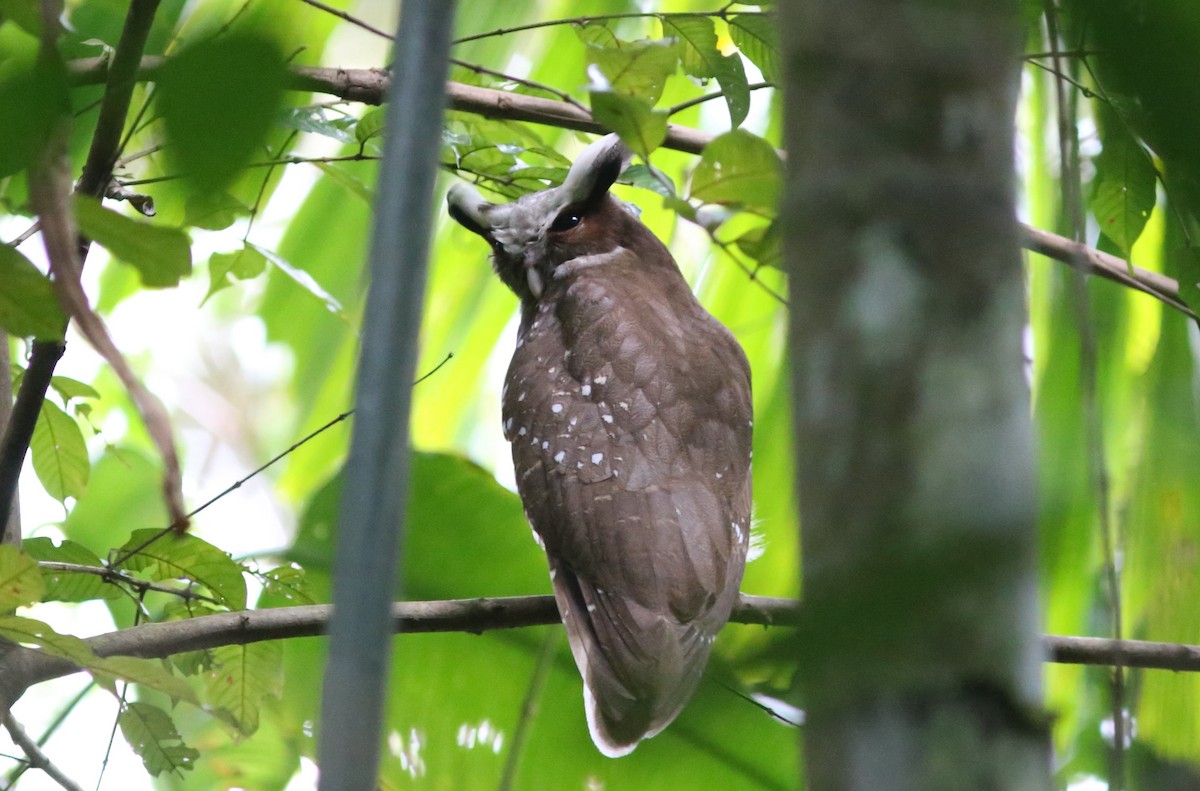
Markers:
point(21, 669)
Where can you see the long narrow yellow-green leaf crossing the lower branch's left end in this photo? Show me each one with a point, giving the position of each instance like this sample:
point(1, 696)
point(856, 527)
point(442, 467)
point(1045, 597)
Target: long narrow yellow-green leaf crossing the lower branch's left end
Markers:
point(147, 673)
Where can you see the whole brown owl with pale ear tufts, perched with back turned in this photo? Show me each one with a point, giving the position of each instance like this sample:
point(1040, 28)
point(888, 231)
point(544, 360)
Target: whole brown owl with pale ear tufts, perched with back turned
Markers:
point(628, 408)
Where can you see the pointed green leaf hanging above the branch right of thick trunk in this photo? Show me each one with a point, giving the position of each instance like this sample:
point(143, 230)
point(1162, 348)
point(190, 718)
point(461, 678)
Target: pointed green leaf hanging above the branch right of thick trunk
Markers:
point(1124, 190)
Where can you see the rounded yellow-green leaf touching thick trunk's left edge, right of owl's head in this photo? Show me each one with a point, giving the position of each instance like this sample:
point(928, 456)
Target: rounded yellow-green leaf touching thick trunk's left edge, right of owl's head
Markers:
point(740, 169)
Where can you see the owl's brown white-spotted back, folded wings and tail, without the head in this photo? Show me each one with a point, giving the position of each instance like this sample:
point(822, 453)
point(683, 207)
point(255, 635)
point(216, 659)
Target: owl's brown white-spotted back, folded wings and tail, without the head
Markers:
point(632, 448)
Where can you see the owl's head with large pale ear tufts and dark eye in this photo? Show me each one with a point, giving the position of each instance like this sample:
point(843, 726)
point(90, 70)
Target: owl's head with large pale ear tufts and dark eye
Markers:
point(536, 235)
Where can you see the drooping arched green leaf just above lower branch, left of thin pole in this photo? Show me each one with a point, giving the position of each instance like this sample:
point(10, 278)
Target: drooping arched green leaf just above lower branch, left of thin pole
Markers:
point(187, 558)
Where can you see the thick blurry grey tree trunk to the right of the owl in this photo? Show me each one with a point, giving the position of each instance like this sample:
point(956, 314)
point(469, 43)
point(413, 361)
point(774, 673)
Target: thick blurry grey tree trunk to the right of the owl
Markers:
point(920, 656)
